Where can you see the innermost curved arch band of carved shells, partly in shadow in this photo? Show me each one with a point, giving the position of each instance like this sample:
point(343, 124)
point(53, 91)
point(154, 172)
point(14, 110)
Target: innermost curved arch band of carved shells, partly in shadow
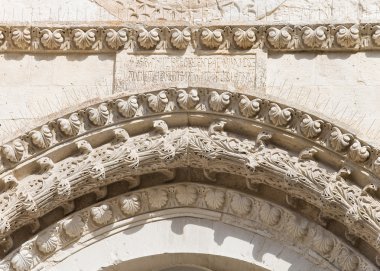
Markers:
point(185, 200)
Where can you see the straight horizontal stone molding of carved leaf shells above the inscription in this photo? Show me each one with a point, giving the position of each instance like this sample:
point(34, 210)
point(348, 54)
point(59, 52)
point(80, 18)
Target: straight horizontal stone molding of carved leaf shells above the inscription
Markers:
point(110, 38)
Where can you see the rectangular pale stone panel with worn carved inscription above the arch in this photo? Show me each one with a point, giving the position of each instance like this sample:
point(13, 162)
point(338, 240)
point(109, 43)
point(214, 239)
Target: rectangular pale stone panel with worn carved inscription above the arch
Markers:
point(136, 72)
